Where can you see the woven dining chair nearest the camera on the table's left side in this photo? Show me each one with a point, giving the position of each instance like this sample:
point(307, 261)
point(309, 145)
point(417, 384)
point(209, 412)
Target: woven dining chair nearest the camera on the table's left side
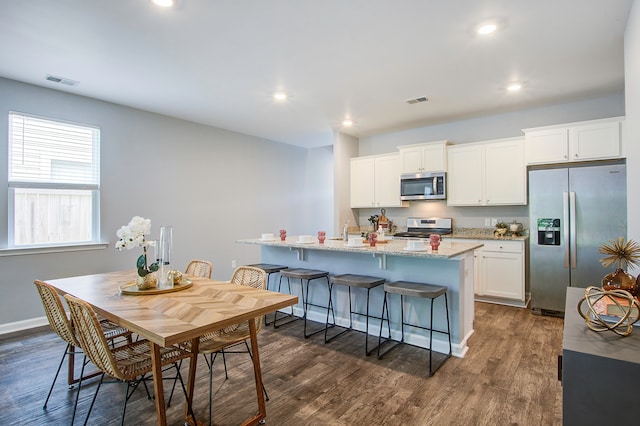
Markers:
point(129, 363)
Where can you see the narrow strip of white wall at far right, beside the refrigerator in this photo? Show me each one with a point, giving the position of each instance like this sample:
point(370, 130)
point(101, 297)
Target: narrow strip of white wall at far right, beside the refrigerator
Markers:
point(632, 89)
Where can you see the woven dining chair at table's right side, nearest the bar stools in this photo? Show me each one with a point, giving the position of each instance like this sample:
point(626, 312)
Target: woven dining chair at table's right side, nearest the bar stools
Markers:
point(218, 341)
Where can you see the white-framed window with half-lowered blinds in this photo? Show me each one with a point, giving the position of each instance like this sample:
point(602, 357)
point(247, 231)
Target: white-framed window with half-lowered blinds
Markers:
point(54, 182)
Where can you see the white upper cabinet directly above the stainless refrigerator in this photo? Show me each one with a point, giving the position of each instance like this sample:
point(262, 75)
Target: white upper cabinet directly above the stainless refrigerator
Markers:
point(583, 141)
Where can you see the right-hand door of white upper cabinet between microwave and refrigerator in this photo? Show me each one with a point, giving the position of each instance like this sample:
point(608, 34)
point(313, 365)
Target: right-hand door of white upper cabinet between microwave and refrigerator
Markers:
point(505, 173)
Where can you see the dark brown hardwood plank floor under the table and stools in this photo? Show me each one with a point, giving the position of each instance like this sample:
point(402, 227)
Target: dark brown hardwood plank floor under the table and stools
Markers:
point(508, 377)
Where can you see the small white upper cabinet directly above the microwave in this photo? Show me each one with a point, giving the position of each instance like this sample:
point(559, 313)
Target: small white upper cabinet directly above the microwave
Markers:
point(424, 158)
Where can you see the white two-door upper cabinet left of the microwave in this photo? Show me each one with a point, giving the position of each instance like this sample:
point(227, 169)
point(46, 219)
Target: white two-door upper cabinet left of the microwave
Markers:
point(375, 181)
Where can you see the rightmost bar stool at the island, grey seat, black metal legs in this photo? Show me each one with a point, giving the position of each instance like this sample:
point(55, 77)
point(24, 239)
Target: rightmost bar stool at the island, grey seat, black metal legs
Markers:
point(426, 291)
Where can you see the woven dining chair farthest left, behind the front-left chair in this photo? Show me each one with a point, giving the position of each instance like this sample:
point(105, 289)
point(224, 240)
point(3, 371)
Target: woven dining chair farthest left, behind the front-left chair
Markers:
point(63, 327)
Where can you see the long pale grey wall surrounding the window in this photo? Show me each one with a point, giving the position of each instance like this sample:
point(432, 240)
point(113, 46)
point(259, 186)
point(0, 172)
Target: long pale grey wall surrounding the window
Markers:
point(213, 186)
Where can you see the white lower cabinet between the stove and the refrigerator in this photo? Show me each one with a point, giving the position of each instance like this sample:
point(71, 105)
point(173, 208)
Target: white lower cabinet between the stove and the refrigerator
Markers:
point(499, 272)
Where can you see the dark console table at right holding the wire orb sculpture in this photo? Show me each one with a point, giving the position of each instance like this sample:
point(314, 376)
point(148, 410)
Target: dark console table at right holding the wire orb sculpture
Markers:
point(600, 372)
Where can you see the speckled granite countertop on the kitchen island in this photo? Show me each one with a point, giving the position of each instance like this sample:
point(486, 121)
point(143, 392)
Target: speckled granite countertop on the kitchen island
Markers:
point(447, 249)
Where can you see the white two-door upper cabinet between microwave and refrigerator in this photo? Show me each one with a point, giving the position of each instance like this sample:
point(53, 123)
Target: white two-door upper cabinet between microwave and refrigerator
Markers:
point(487, 173)
